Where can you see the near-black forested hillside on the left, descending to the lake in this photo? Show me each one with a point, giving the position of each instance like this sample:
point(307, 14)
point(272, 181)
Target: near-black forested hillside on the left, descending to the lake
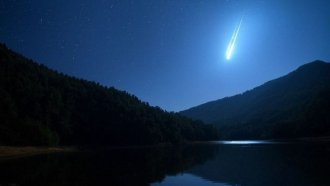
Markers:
point(39, 106)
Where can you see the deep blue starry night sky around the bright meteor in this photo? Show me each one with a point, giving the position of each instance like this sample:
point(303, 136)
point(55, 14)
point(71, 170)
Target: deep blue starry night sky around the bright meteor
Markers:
point(169, 53)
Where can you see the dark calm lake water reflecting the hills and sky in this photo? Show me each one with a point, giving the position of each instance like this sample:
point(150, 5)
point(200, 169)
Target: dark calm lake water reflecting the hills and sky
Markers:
point(199, 164)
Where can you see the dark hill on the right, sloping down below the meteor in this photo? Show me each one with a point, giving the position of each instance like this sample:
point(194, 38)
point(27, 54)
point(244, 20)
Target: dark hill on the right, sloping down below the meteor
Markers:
point(295, 105)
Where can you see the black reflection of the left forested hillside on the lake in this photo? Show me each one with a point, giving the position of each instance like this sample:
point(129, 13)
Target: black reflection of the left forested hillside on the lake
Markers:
point(121, 166)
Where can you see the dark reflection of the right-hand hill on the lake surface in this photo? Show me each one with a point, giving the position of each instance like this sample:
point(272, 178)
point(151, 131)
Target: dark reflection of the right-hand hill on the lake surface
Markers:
point(269, 164)
